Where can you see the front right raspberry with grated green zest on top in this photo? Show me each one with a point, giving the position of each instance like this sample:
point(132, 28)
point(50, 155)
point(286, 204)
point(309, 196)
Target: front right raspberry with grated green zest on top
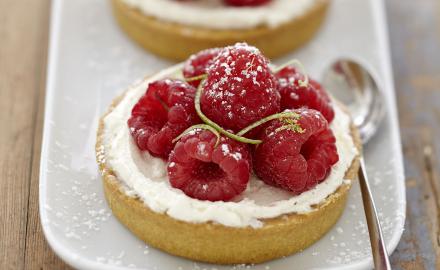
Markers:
point(294, 160)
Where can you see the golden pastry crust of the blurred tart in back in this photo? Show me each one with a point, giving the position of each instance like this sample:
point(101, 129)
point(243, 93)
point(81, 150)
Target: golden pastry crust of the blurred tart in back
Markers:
point(177, 42)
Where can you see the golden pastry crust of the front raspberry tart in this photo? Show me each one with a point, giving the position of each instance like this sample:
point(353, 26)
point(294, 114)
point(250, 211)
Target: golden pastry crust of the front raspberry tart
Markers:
point(216, 243)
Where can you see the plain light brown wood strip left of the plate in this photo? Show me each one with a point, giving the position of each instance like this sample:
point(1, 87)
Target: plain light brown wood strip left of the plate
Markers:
point(23, 35)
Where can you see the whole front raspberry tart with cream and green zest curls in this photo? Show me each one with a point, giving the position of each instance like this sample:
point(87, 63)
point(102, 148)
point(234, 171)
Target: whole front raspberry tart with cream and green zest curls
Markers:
point(211, 160)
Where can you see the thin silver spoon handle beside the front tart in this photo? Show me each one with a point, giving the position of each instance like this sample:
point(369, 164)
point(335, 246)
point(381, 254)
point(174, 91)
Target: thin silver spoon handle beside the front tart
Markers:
point(380, 255)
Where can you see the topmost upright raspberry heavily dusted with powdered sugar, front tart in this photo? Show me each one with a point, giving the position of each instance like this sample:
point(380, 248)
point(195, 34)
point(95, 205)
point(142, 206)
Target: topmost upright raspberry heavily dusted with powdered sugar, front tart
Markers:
point(240, 88)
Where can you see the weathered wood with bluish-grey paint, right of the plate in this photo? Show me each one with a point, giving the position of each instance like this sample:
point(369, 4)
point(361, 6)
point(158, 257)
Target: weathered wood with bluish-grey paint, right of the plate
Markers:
point(415, 41)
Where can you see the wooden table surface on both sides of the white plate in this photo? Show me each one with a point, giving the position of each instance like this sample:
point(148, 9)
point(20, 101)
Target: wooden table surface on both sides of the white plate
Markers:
point(415, 43)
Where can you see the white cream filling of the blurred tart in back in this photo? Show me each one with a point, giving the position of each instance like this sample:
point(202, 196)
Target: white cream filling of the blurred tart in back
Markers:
point(216, 15)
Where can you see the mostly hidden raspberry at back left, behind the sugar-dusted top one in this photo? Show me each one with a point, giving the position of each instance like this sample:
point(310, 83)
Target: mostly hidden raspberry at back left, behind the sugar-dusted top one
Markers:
point(198, 64)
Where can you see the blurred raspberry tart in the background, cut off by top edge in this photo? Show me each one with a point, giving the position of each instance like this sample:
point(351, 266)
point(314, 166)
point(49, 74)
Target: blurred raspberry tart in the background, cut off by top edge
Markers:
point(275, 26)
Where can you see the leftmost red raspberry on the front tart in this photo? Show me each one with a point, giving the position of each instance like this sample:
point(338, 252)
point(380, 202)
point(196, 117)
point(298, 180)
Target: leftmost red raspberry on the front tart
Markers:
point(161, 114)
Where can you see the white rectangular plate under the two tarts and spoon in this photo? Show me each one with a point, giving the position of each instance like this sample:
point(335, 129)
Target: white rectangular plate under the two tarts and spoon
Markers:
point(91, 61)
